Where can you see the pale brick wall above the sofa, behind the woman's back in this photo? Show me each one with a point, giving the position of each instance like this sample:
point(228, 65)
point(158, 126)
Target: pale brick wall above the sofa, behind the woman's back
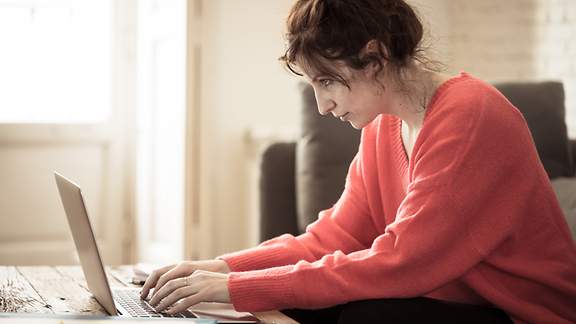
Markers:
point(509, 40)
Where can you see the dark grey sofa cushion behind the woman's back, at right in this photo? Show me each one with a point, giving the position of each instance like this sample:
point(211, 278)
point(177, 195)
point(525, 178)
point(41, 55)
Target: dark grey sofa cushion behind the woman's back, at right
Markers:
point(542, 104)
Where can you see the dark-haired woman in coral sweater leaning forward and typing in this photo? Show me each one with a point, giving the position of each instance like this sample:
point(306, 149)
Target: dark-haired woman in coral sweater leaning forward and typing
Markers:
point(447, 214)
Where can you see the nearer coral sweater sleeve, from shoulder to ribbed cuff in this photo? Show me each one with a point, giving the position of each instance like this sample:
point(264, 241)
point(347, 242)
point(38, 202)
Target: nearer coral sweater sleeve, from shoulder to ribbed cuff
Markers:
point(458, 208)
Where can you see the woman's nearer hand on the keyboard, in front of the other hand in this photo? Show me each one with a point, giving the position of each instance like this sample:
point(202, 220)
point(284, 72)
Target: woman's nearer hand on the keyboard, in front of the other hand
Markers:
point(181, 293)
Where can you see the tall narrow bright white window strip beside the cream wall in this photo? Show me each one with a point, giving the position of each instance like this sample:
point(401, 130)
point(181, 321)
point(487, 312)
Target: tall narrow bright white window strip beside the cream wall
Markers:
point(161, 129)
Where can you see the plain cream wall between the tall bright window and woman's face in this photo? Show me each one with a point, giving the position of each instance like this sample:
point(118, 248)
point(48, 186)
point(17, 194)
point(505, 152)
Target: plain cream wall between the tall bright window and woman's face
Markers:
point(243, 86)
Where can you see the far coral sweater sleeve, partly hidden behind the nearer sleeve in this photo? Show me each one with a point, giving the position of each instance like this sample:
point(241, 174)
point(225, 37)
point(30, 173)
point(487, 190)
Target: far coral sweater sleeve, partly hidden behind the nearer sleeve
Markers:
point(328, 234)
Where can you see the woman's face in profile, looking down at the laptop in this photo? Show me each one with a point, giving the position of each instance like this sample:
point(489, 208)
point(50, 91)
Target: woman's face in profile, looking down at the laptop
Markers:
point(358, 105)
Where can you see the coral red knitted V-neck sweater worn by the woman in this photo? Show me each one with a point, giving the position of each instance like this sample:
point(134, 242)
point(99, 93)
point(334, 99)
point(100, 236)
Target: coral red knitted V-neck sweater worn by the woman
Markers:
point(470, 218)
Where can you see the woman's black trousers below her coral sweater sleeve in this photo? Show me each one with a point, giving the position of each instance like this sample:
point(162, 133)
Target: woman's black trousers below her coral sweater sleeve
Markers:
point(410, 310)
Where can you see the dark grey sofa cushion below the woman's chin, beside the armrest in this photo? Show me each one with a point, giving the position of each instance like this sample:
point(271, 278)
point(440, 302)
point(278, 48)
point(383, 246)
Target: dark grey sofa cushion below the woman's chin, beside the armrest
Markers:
point(324, 151)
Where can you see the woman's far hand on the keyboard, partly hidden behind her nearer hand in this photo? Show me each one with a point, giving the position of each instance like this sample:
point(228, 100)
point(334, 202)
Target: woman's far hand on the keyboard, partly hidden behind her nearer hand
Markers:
point(161, 276)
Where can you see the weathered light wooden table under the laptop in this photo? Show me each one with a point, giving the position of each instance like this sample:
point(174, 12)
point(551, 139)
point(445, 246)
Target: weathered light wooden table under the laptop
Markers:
point(63, 290)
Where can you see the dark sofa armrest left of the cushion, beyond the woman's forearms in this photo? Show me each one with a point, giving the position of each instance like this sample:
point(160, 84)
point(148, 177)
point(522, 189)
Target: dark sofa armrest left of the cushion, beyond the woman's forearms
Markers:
point(278, 191)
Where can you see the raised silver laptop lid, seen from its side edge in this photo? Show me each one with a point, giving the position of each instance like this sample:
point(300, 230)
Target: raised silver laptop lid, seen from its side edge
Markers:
point(86, 246)
